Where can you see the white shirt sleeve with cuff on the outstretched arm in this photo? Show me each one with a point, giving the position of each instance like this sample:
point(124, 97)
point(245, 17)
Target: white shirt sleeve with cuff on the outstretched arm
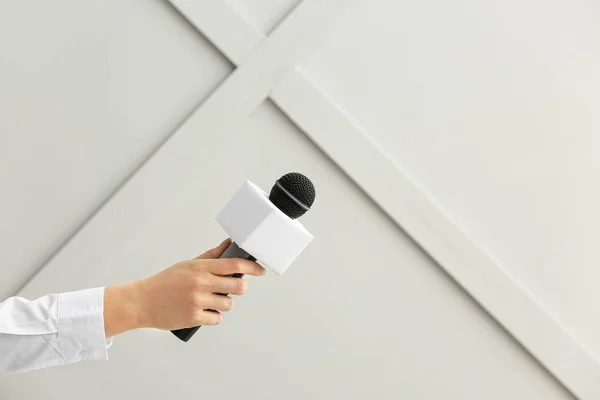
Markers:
point(56, 329)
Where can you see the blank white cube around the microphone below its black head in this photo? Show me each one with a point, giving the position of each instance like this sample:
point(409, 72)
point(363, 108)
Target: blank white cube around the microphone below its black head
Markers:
point(263, 230)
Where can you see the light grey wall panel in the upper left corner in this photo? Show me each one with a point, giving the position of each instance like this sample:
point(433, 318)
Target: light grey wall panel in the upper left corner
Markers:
point(87, 93)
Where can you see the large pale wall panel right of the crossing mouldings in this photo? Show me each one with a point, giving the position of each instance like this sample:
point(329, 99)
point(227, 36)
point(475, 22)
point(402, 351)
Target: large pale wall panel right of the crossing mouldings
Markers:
point(493, 108)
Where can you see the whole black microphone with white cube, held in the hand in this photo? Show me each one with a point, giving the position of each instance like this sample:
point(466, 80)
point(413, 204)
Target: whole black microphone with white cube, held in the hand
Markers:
point(265, 228)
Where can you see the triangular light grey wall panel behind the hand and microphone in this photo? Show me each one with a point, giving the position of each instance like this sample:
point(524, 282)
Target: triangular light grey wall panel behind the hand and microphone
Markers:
point(362, 314)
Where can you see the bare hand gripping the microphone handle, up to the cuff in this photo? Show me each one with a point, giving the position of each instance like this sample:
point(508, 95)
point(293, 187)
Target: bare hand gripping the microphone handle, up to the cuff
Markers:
point(181, 296)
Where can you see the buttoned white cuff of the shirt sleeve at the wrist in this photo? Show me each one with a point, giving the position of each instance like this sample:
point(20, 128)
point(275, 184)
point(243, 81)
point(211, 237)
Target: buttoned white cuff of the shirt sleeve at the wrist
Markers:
point(81, 325)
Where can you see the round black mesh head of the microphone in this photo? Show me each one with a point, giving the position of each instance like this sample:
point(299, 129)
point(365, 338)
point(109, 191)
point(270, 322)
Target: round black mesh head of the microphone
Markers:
point(293, 194)
